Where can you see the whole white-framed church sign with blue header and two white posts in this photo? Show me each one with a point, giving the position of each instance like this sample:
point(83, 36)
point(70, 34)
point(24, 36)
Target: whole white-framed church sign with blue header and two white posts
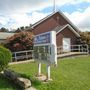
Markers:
point(45, 51)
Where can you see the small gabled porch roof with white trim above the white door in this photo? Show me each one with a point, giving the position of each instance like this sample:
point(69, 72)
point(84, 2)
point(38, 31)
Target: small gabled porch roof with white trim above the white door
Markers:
point(58, 29)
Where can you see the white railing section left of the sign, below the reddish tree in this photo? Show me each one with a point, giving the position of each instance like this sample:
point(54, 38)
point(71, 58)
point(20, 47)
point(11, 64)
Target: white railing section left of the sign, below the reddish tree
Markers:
point(22, 55)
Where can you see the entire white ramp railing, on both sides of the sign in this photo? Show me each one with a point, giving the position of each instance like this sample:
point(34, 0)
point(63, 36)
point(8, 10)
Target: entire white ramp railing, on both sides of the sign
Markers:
point(25, 55)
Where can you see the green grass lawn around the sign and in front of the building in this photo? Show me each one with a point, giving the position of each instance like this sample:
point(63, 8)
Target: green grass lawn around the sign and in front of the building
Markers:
point(70, 74)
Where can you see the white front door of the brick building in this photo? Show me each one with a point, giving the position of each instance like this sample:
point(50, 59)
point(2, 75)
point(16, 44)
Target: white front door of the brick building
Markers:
point(66, 44)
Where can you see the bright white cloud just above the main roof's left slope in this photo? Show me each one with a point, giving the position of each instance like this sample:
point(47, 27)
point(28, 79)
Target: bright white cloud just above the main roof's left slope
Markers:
point(25, 20)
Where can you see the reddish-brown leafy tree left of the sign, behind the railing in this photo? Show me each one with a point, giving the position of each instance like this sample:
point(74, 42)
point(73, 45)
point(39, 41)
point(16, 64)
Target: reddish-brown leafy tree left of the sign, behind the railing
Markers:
point(20, 41)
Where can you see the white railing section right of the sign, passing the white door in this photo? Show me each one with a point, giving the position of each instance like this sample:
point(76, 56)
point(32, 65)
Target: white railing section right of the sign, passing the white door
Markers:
point(74, 48)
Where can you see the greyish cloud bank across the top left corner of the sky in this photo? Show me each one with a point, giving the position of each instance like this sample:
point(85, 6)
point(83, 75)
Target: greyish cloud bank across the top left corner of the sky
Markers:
point(21, 6)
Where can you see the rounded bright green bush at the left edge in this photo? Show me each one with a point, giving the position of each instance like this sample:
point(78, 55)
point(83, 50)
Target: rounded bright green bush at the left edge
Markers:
point(5, 57)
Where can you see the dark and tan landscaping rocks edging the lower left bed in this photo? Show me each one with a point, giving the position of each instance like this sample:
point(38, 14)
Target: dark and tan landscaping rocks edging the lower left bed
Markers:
point(13, 76)
